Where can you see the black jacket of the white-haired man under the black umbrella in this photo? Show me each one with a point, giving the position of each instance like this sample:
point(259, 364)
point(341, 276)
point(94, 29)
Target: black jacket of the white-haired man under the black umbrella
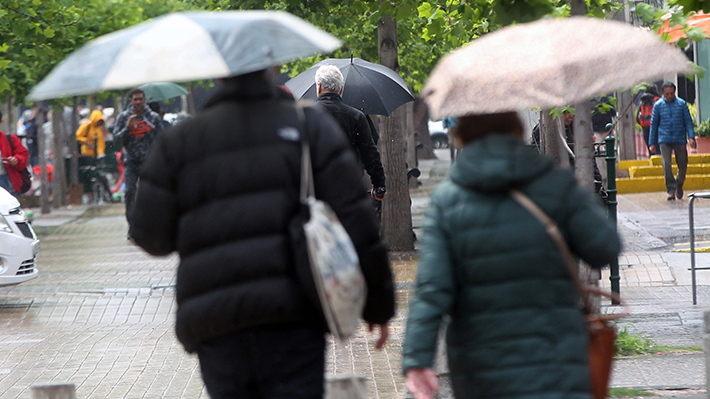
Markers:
point(357, 127)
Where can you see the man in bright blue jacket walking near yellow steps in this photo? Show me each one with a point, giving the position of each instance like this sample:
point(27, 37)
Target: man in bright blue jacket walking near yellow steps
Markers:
point(671, 130)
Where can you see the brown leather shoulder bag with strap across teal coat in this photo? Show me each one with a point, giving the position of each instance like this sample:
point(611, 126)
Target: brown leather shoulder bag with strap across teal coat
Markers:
point(602, 336)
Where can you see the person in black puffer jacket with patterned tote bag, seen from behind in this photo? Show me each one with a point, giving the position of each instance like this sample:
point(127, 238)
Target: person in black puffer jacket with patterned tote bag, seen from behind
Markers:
point(221, 190)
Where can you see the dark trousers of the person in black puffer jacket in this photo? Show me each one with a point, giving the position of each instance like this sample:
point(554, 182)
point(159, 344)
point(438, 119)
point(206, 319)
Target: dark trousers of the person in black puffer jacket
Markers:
point(274, 362)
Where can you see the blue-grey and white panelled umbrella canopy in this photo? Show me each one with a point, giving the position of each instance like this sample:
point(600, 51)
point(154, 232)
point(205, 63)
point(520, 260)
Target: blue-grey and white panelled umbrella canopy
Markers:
point(183, 47)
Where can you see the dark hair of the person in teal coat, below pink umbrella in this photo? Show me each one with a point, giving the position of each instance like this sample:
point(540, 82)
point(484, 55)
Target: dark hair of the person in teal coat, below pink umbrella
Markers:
point(473, 127)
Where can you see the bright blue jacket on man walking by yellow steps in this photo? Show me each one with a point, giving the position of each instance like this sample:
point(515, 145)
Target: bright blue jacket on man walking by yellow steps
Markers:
point(670, 122)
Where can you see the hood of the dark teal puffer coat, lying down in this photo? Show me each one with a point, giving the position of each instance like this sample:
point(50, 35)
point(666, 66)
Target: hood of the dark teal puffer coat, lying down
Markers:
point(498, 162)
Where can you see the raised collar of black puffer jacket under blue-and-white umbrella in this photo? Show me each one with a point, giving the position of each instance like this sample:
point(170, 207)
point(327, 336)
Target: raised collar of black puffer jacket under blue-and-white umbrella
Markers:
point(241, 88)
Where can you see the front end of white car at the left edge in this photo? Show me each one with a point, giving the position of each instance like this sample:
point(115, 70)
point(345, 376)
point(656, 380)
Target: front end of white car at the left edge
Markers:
point(19, 245)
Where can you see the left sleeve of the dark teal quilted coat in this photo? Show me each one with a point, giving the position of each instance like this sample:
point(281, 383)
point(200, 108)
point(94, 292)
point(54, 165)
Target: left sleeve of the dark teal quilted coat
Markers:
point(434, 296)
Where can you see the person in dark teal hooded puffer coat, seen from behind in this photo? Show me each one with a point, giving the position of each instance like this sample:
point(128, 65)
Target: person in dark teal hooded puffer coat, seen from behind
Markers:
point(488, 266)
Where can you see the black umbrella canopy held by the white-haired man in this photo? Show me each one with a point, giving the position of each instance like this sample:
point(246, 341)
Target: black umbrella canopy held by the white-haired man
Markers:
point(371, 88)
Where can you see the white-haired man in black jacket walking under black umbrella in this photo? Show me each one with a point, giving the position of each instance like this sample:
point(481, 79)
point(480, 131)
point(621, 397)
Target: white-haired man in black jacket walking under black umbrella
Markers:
point(329, 86)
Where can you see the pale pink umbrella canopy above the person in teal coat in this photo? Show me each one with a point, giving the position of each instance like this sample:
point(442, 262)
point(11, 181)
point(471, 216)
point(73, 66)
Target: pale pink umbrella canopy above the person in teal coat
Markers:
point(548, 63)
